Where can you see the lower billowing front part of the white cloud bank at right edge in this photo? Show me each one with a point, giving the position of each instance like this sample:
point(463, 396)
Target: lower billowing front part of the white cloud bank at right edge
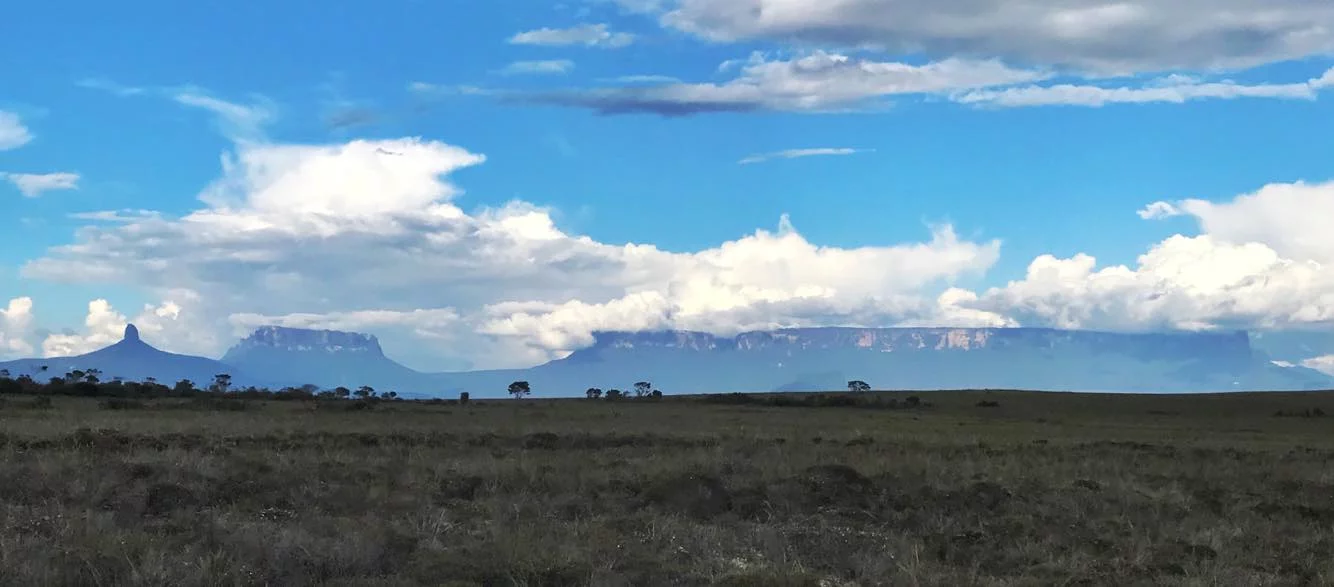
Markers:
point(1205, 282)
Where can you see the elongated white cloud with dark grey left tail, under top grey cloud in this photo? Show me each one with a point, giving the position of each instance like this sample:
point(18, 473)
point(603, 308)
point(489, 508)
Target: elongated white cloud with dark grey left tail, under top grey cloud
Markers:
point(812, 83)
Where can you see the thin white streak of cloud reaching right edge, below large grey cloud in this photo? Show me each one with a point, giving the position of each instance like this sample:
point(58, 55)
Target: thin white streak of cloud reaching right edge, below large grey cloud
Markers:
point(1176, 91)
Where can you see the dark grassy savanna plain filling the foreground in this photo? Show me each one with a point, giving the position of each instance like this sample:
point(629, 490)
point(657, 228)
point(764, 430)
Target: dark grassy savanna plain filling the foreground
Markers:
point(965, 489)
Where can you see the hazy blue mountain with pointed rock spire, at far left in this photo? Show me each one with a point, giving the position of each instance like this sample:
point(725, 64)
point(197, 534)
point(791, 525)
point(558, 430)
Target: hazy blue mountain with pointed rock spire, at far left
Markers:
point(133, 360)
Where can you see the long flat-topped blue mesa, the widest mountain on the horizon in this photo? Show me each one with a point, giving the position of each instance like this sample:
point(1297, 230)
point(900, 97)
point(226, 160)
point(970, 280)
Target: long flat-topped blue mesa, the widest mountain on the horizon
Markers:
point(824, 360)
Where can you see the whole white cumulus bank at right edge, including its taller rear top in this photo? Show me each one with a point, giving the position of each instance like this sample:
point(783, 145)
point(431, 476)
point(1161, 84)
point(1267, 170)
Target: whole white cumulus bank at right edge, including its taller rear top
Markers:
point(1264, 262)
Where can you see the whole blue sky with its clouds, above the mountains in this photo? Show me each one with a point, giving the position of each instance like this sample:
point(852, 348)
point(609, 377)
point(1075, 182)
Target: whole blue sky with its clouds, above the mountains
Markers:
point(628, 122)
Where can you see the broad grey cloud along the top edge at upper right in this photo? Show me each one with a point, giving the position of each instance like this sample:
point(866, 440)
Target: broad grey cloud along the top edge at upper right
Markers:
point(1091, 35)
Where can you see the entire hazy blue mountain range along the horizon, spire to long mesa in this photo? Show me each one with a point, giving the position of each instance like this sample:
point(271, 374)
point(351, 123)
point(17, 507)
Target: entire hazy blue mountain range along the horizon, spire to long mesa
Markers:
point(800, 360)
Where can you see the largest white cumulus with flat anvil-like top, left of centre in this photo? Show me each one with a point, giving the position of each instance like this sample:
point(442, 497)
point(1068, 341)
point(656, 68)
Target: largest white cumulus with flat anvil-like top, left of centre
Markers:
point(365, 231)
